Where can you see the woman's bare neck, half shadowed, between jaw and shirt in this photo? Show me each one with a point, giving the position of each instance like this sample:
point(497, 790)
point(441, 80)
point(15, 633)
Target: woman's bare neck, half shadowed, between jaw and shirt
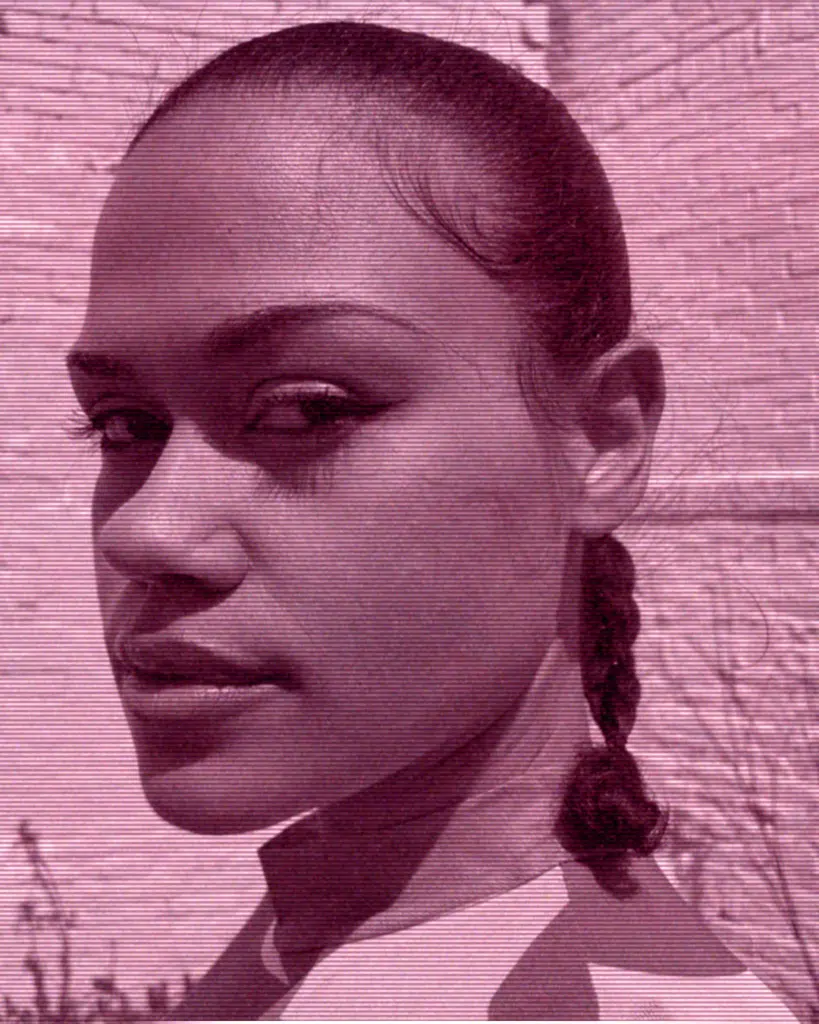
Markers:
point(438, 836)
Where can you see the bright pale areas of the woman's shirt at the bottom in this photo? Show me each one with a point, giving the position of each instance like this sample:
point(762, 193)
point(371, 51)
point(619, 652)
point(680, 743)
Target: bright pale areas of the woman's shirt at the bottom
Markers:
point(455, 967)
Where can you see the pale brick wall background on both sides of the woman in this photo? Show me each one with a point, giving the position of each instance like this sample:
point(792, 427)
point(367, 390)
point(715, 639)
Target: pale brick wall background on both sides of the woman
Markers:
point(706, 117)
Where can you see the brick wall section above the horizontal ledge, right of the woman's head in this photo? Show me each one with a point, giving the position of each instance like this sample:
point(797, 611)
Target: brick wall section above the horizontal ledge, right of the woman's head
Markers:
point(706, 115)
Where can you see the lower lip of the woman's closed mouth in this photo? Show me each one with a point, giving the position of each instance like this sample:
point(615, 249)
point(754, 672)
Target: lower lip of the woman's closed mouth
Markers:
point(185, 702)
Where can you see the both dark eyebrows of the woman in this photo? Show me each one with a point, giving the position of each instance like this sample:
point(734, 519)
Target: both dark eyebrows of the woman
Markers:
point(238, 334)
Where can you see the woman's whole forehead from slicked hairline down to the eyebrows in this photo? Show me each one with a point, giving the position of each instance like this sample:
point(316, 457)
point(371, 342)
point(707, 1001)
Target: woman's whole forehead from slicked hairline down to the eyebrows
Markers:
point(227, 206)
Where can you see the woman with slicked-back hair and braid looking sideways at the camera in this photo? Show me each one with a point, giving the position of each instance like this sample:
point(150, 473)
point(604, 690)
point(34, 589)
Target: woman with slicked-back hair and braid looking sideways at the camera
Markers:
point(358, 354)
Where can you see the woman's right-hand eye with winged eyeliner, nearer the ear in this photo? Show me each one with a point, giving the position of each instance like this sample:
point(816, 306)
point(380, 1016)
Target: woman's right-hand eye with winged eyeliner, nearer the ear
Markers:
point(303, 408)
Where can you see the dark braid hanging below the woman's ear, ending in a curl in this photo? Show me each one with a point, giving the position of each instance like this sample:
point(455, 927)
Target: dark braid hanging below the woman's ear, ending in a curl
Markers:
point(607, 814)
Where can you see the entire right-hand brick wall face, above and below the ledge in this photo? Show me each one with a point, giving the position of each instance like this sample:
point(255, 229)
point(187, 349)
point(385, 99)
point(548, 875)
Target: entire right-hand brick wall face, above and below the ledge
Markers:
point(706, 116)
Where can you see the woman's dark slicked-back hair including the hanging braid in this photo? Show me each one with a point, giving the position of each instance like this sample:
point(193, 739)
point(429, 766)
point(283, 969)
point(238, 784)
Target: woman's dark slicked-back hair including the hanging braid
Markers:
point(540, 218)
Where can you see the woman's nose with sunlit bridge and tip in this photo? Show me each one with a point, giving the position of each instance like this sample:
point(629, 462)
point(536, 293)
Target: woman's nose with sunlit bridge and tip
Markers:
point(178, 524)
